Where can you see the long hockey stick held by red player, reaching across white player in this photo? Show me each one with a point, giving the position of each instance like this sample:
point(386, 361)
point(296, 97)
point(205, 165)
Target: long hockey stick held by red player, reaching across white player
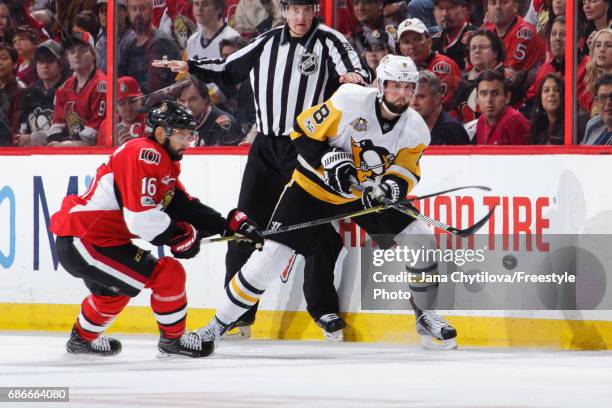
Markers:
point(341, 217)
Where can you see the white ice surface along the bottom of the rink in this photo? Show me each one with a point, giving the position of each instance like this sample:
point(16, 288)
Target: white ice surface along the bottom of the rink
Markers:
point(307, 374)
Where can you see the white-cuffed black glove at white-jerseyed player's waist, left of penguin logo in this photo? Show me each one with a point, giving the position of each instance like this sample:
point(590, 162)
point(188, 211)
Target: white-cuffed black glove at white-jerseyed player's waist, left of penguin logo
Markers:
point(339, 171)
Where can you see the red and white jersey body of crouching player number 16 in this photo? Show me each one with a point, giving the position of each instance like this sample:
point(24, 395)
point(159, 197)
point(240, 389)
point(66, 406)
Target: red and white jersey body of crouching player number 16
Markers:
point(126, 199)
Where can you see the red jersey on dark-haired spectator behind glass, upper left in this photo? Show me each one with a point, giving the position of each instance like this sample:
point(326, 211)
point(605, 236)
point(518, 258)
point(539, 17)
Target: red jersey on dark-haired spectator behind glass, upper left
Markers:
point(81, 113)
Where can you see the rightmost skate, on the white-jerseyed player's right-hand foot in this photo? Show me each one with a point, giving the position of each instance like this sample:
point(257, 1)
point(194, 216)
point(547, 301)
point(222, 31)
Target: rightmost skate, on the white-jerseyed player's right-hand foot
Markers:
point(435, 332)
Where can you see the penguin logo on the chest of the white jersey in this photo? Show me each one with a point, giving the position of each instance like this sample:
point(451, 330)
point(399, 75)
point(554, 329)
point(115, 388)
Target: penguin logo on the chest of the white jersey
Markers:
point(371, 161)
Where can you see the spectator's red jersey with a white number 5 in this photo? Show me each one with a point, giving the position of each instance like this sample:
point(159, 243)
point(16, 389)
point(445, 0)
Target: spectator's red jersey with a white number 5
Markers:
point(523, 45)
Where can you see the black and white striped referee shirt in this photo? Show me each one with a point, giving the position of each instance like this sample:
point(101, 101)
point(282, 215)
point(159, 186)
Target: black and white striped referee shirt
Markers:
point(287, 74)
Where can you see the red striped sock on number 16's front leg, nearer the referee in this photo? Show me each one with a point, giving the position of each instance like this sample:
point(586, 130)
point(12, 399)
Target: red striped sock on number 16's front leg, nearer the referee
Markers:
point(168, 297)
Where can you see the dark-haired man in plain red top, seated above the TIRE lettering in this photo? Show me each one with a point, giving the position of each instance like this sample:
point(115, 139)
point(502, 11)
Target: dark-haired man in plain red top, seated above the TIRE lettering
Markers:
point(499, 123)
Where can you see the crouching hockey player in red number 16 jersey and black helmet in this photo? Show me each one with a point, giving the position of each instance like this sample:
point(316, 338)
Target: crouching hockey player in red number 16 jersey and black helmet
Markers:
point(137, 194)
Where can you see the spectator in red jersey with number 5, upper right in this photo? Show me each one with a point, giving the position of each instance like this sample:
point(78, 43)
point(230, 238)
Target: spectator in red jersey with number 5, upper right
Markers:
point(523, 45)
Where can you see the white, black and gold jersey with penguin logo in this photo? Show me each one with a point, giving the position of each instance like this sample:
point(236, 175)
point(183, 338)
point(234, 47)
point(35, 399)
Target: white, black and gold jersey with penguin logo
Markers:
point(351, 120)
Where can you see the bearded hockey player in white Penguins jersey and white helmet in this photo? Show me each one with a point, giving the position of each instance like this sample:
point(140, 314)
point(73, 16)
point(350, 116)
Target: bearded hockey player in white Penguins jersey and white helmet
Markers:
point(364, 136)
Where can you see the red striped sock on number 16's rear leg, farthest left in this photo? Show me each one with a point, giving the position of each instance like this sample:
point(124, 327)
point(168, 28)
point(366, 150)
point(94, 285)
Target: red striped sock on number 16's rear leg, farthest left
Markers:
point(97, 313)
